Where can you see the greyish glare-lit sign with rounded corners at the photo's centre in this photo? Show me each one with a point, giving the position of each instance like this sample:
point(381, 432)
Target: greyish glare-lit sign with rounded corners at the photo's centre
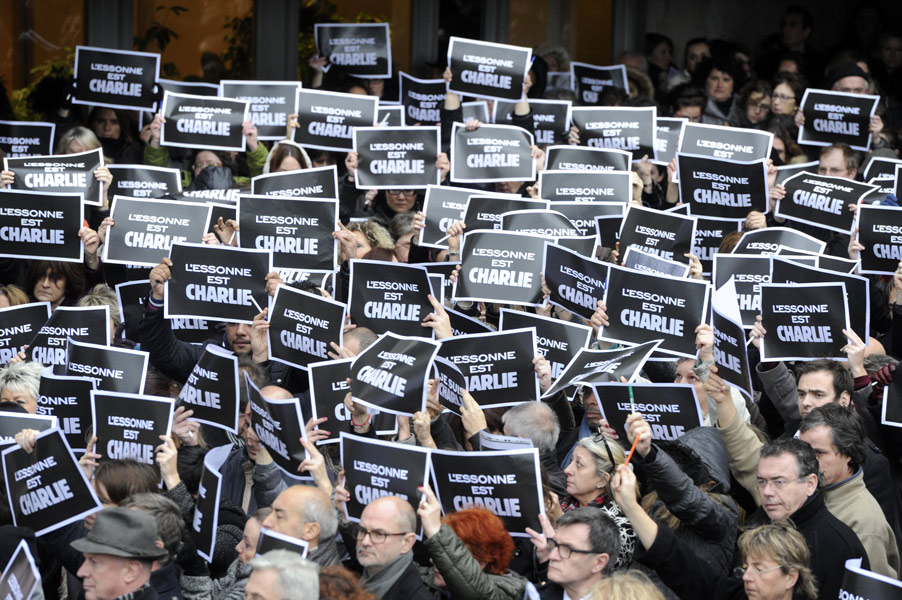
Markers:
point(500, 266)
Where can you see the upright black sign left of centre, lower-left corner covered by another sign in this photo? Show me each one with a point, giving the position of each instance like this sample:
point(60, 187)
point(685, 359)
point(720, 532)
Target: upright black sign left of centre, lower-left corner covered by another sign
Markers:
point(298, 232)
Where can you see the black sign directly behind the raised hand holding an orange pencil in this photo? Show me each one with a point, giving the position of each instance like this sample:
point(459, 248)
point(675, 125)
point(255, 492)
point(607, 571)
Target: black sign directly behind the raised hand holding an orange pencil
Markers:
point(671, 409)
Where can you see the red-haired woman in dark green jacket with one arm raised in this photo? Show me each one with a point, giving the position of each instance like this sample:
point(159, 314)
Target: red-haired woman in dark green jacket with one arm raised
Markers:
point(470, 551)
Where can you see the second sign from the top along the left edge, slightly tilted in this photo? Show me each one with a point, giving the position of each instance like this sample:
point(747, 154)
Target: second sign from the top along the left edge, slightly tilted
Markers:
point(59, 174)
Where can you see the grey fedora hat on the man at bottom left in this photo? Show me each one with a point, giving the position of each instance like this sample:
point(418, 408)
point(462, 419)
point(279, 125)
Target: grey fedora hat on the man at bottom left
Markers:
point(122, 532)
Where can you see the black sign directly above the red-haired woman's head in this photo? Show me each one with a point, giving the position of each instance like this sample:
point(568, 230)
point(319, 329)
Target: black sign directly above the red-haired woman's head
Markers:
point(506, 482)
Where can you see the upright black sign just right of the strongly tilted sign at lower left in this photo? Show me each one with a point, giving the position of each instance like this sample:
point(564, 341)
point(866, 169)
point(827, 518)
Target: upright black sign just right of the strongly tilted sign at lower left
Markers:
point(129, 425)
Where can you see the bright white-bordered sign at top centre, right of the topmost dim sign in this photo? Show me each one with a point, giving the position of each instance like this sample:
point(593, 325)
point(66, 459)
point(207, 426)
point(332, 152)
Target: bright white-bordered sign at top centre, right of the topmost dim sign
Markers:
point(487, 69)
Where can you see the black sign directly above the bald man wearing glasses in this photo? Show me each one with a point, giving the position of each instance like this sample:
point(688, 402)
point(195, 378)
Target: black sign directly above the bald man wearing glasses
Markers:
point(375, 468)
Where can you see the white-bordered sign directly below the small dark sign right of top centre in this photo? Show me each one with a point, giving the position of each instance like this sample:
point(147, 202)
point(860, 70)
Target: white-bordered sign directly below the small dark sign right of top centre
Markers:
point(629, 128)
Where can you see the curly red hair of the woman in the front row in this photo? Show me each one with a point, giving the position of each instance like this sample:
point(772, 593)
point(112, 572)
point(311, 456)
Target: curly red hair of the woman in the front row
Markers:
point(484, 535)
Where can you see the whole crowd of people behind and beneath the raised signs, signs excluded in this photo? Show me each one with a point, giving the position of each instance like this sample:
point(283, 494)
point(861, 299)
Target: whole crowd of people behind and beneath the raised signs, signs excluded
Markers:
point(766, 500)
